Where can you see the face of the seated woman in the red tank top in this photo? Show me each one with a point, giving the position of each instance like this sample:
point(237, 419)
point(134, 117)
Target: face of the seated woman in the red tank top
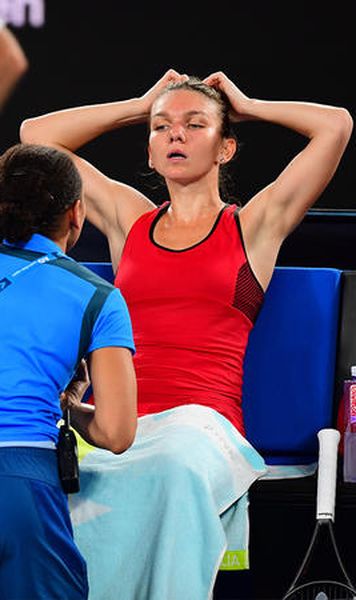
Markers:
point(185, 139)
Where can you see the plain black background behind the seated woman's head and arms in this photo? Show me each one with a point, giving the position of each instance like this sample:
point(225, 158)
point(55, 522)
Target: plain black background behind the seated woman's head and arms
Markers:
point(91, 51)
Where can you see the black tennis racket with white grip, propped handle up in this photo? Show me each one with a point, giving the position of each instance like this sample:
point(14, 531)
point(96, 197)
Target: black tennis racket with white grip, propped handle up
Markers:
point(322, 575)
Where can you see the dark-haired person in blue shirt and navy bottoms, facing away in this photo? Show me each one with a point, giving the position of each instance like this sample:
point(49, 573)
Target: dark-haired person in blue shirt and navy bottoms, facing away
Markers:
point(53, 312)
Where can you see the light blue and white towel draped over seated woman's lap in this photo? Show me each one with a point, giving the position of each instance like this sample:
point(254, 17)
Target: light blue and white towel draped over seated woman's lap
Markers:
point(155, 522)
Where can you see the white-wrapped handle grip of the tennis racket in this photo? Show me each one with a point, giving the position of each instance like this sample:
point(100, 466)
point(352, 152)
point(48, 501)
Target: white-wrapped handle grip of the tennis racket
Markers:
point(327, 472)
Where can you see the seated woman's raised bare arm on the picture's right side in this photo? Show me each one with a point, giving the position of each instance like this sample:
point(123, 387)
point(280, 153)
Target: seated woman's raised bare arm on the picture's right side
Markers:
point(275, 211)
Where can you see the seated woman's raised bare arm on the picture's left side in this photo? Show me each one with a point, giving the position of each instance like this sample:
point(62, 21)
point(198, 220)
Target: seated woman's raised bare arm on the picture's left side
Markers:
point(111, 206)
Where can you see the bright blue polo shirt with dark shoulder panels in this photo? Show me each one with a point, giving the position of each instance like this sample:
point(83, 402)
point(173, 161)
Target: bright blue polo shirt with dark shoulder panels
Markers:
point(53, 312)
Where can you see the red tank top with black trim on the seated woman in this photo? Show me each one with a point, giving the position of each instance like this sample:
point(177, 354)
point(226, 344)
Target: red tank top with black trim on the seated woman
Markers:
point(192, 311)
